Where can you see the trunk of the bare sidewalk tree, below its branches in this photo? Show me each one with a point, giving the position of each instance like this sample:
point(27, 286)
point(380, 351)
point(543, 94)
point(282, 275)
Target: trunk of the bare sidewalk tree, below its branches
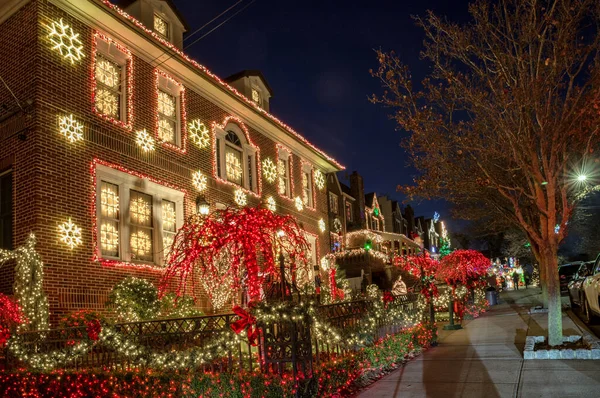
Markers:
point(550, 263)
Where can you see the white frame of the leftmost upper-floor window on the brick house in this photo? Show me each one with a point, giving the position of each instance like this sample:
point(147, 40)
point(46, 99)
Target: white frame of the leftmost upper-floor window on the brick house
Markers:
point(111, 52)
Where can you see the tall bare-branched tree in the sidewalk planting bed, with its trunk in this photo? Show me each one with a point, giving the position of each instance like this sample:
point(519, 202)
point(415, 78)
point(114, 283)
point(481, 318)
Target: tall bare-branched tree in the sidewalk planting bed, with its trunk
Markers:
point(507, 118)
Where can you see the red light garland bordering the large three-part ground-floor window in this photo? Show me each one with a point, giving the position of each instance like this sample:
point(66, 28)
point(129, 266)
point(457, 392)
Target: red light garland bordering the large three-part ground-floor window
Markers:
point(97, 256)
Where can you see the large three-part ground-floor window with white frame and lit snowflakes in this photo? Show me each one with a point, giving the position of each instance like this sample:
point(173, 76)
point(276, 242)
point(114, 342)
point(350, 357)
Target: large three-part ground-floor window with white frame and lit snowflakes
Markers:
point(137, 218)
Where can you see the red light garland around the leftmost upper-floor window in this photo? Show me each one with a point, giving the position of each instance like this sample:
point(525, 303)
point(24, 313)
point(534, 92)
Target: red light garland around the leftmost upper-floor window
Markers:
point(128, 123)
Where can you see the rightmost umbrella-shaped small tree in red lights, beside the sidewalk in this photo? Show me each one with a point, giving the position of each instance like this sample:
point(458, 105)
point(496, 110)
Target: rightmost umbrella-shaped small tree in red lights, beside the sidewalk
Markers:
point(462, 268)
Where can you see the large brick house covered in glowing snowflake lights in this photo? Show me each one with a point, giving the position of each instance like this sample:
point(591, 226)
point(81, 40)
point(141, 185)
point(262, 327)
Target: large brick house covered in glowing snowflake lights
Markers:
point(108, 124)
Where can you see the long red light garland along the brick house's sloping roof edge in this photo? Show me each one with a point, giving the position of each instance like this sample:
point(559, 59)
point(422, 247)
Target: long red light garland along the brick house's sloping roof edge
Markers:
point(206, 71)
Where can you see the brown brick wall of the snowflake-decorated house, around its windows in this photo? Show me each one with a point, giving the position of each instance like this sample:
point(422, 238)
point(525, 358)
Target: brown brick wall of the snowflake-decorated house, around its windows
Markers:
point(53, 179)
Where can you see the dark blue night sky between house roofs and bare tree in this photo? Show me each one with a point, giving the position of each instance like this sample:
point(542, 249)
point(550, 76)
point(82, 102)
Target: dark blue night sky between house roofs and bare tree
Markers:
point(316, 56)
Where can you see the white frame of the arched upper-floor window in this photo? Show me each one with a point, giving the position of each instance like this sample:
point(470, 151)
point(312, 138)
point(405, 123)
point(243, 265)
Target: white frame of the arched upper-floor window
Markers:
point(247, 151)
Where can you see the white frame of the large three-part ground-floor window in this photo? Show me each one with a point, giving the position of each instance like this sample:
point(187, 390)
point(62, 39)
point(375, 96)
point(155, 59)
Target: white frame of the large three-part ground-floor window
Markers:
point(126, 183)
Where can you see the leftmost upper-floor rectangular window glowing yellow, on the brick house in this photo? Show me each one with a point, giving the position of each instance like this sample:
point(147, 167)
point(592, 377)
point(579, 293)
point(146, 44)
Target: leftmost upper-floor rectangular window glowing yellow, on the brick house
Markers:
point(110, 80)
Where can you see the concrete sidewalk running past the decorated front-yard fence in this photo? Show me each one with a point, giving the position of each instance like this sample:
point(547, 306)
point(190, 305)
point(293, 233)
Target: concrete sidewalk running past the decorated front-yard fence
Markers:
point(485, 359)
